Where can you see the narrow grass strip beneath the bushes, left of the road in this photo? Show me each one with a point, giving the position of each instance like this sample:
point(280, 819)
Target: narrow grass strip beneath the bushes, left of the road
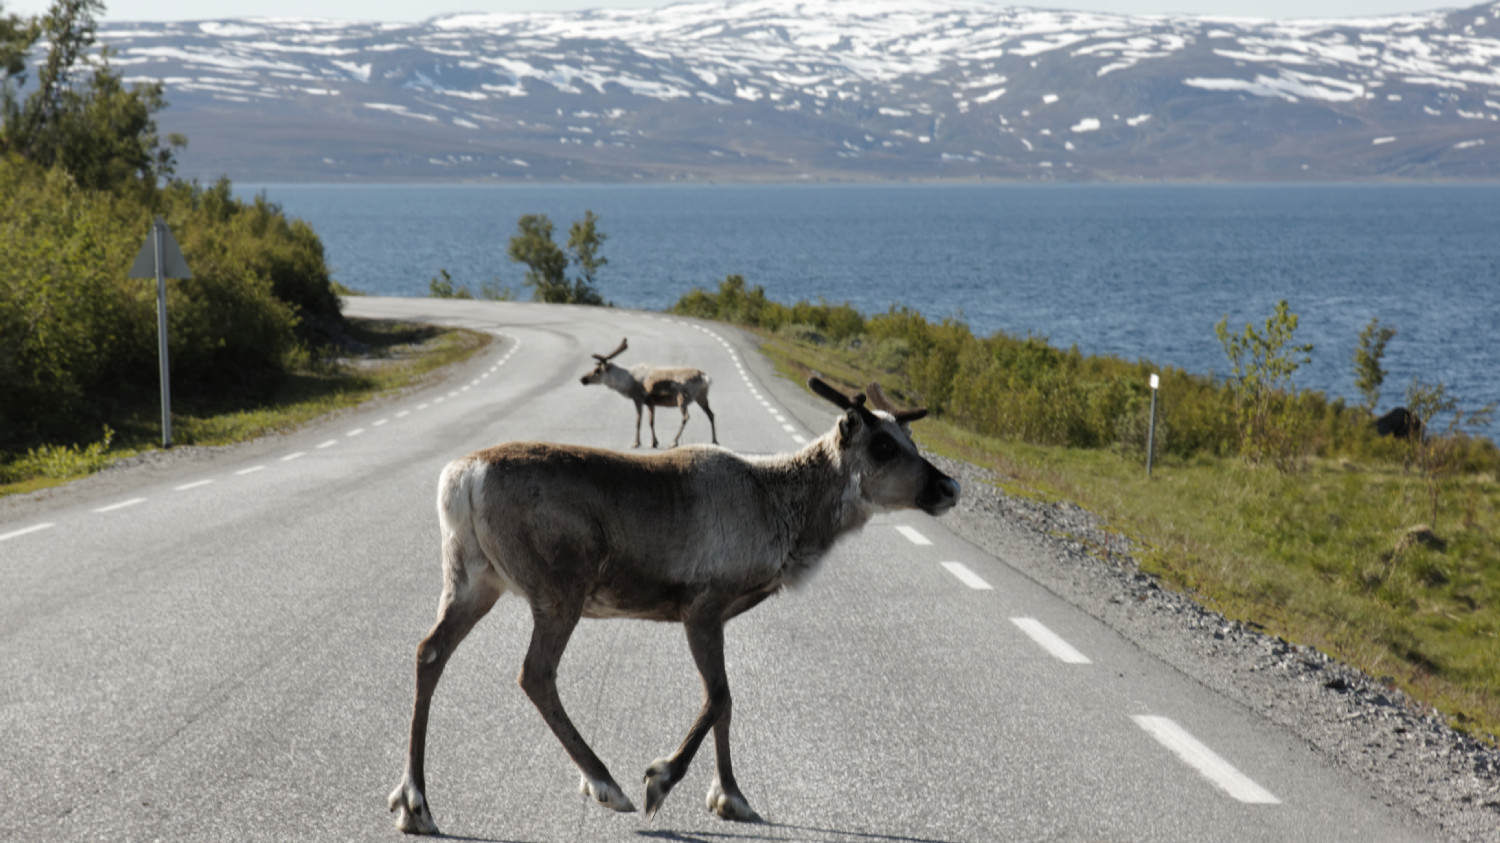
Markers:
point(394, 356)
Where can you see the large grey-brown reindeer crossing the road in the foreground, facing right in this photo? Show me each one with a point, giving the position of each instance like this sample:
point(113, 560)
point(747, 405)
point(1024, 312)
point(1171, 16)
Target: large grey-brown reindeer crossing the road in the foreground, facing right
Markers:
point(694, 536)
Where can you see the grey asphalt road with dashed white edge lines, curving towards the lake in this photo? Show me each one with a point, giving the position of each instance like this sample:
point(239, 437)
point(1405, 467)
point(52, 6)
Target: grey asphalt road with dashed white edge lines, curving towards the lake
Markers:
point(220, 647)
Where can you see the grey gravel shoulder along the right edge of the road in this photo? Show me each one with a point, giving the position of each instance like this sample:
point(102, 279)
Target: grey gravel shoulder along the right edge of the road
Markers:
point(1406, 751)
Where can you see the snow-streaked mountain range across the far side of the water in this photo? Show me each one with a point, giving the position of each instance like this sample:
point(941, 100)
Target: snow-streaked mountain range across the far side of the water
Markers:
point(829, 91)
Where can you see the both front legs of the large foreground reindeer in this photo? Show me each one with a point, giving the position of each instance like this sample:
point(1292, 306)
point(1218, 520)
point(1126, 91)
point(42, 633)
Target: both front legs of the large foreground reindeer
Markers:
point(706, 638)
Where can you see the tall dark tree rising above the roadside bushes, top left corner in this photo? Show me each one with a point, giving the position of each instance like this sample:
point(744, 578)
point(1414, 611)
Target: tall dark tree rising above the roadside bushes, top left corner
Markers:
point(80, 116)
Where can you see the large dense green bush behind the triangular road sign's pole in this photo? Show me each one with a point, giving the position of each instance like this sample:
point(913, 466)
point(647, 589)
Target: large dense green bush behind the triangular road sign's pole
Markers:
point(79, 338)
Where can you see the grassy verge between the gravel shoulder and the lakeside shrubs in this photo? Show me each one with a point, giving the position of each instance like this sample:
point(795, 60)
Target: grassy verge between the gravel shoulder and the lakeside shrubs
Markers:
point(1319, 557)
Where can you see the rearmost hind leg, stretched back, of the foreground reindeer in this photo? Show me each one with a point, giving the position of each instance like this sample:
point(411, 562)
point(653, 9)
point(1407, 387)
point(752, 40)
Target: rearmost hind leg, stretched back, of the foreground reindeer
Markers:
point(466, 599)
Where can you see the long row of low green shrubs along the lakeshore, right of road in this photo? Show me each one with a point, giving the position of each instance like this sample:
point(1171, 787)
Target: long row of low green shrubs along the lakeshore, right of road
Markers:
point(1027, 389)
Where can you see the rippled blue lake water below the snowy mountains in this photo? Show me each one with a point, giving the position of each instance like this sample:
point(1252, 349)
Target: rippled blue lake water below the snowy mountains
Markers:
point(1139, 272)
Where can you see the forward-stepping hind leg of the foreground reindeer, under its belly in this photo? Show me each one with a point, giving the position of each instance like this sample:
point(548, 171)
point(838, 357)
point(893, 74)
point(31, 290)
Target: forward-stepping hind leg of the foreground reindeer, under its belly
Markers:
point(539, 679)
